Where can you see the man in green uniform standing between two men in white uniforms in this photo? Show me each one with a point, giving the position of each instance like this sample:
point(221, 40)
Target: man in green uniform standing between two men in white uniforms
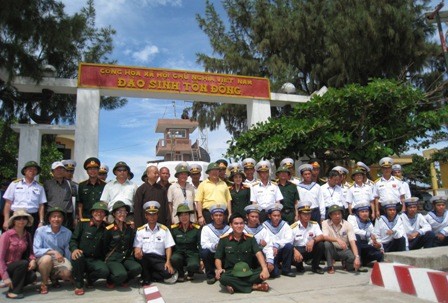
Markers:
point(290, 195)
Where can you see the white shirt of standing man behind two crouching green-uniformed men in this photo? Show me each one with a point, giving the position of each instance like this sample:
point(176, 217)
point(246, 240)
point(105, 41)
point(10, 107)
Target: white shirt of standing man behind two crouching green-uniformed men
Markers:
point(115, 191)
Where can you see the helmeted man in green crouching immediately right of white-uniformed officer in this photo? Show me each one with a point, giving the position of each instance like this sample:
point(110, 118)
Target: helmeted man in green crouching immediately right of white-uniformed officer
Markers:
point(186, 236)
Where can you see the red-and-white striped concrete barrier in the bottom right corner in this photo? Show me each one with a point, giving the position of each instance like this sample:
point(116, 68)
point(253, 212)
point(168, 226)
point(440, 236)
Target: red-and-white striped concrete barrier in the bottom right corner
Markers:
point(423, 283)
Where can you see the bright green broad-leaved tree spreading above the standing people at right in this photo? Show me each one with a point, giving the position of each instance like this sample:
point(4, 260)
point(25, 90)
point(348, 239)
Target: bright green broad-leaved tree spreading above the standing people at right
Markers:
point(354, 122)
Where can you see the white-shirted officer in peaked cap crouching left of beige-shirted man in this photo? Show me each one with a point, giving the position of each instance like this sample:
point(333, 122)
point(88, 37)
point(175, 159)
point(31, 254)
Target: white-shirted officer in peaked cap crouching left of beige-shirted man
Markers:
point(308, 241)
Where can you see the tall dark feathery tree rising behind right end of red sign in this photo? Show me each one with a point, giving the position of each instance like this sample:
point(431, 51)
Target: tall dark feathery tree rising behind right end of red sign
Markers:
point(312, 43)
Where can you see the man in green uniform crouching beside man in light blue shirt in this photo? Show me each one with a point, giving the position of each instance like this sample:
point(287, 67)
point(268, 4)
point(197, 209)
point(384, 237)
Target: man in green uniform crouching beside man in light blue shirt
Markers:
point(87, 249)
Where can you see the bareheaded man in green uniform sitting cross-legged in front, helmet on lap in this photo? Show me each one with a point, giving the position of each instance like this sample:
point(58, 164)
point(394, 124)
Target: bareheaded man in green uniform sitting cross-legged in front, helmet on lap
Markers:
point(235, 248)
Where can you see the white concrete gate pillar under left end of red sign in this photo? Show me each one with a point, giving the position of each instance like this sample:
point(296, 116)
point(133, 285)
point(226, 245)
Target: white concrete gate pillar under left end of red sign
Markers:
point(86, 133)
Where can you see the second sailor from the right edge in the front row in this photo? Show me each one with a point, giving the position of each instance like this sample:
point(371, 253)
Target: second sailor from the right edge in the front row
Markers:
point(417, 229)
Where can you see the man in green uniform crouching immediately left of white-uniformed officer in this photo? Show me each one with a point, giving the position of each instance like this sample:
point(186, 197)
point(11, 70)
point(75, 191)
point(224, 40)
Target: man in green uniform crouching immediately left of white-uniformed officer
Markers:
point(118, 243)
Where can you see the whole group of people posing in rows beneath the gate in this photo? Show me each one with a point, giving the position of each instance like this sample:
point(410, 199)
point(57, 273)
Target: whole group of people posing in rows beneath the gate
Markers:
point(238, 229)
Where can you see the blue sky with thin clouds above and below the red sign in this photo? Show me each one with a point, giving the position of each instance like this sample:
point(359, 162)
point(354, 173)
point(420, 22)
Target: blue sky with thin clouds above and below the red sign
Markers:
point(150, 33)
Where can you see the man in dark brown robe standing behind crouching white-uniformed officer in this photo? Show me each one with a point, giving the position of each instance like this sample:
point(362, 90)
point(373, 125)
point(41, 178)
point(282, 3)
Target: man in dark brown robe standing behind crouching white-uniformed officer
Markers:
point(151, 191)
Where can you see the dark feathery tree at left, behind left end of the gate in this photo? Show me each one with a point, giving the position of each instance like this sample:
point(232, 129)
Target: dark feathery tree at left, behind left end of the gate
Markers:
point(38, 33)
